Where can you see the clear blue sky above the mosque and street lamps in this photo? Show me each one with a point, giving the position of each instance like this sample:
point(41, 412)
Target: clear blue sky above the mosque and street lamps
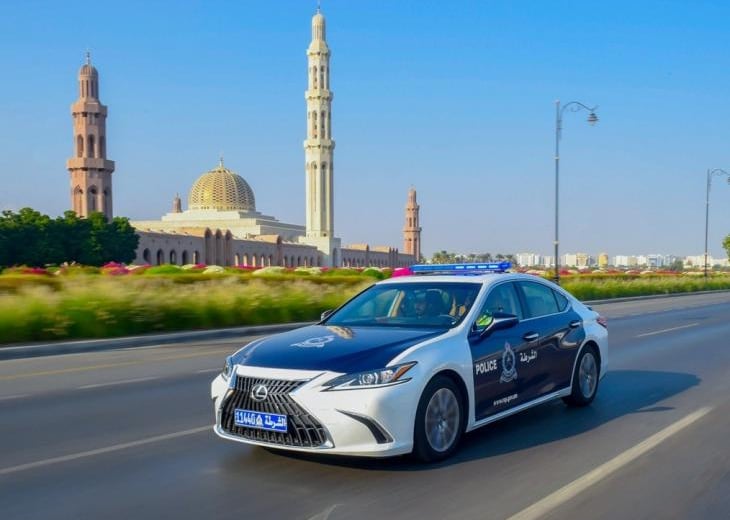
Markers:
point(454, 98)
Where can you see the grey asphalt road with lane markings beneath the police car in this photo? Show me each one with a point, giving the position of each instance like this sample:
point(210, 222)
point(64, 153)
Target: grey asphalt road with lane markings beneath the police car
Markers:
point(126, 434)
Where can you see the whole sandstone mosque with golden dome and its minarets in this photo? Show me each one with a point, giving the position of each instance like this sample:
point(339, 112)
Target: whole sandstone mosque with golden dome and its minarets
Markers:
point(221, 225)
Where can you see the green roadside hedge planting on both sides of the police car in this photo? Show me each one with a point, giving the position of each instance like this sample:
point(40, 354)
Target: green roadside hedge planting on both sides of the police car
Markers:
point(83, 303)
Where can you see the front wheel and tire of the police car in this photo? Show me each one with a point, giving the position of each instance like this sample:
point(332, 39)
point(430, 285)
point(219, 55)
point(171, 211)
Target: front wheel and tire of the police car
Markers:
point(439, 420)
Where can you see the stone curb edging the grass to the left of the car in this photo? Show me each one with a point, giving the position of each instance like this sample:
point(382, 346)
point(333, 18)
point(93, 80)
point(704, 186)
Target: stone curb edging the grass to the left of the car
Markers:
point(148, 340)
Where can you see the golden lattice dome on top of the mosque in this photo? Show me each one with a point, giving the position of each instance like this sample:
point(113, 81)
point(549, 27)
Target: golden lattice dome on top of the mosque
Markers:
point(221, 189)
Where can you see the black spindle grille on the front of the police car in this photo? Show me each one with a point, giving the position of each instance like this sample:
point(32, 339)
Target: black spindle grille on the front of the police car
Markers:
point(303, 430)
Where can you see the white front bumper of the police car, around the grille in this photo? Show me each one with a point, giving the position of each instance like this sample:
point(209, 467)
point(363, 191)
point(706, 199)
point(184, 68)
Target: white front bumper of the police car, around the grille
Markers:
point(374, 422)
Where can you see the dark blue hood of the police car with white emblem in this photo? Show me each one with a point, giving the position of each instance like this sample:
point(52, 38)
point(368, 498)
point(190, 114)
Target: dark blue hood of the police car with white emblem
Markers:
point(333, 348)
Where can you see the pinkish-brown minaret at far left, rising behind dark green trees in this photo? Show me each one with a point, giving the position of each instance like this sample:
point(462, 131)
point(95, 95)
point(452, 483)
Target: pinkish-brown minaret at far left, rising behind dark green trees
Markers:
point(91, 172)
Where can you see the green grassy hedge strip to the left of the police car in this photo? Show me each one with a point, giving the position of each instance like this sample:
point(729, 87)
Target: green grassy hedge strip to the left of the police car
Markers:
point(100, 307)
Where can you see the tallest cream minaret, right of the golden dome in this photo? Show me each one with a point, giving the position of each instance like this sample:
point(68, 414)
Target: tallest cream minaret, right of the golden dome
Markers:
point(319, 146)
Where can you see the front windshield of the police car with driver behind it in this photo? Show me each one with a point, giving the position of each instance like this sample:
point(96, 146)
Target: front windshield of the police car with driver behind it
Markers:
point(422, 304)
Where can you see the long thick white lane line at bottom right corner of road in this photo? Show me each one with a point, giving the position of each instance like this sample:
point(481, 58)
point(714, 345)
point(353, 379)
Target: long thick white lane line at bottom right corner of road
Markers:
point(569, 491)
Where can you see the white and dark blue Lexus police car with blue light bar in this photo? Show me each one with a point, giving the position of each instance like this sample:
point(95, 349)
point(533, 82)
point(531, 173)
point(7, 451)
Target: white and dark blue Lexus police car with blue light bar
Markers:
point(412, 363)
